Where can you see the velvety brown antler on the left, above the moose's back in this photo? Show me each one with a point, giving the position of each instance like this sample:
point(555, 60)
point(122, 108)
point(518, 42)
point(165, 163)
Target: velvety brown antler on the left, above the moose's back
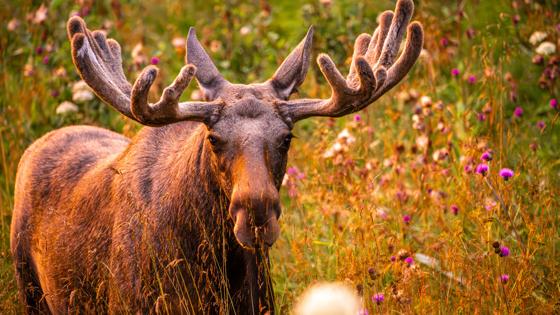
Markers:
point(99, 63)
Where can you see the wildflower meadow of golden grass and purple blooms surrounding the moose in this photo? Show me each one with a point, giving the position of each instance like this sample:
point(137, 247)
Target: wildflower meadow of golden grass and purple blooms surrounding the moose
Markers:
point(441, 197)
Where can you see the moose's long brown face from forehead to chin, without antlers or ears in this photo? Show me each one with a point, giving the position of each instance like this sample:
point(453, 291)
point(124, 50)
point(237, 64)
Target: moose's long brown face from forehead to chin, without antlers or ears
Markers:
point(249, 145)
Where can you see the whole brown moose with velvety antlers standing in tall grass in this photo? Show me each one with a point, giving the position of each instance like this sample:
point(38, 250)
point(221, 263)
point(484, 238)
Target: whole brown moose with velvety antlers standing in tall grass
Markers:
point(180, 218)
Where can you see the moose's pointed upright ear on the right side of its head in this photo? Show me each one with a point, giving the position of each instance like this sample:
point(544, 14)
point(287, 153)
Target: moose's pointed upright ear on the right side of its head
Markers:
point(292, 71)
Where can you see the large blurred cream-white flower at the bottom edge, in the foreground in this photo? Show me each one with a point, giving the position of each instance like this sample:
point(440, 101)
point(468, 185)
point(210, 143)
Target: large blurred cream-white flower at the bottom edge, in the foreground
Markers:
point(328, 299)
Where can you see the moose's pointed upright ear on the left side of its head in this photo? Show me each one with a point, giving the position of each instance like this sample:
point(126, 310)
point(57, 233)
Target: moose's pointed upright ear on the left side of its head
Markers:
point(207, 75)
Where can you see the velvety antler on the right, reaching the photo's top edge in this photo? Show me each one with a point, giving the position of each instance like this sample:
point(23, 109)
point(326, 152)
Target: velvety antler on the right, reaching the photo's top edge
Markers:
point(372, 72)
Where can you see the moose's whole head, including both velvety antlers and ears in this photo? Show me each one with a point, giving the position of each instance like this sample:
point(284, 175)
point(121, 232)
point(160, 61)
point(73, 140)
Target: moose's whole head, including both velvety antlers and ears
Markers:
point(248, 126)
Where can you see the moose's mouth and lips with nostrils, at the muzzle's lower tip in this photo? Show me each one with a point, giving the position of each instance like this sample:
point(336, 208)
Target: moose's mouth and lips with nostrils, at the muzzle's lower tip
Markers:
point(251, 233)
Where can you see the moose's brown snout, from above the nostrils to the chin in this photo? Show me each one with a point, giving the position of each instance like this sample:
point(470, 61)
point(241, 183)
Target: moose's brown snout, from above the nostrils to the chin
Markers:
point(256, 219)
